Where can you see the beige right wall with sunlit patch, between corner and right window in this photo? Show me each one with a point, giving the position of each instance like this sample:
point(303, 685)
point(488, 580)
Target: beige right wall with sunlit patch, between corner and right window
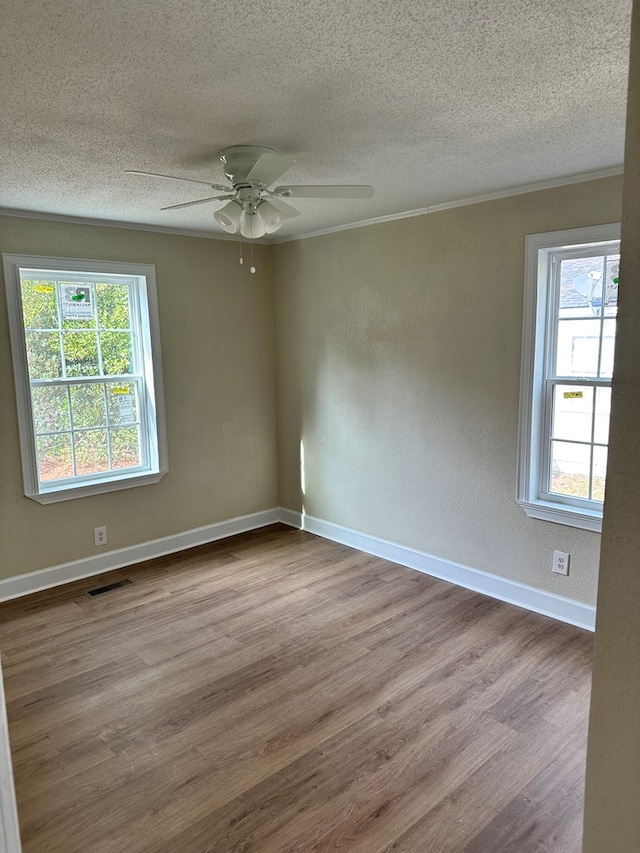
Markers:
point(398, 373)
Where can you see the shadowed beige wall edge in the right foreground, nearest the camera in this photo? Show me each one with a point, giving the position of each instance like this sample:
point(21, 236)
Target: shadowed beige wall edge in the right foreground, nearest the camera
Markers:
point(612, 809)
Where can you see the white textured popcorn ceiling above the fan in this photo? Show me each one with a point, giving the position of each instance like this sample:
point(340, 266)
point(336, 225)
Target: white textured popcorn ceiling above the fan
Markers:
point(429, 101)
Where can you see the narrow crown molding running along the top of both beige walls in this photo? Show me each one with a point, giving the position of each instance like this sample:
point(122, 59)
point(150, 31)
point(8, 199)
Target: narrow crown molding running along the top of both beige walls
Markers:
point(435, 208)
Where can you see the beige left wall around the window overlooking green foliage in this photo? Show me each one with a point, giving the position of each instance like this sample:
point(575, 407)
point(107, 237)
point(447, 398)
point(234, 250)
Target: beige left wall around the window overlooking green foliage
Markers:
point(216, 322)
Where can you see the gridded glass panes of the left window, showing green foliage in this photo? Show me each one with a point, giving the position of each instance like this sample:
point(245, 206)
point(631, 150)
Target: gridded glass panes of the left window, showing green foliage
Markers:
point(58, 338)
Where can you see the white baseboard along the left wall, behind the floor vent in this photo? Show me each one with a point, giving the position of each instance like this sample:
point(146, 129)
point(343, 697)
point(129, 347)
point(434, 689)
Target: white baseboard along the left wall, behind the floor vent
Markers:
point(66, 572)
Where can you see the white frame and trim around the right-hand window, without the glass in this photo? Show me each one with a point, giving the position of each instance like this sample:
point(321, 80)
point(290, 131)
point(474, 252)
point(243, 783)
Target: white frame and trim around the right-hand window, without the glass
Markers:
point(538, 325)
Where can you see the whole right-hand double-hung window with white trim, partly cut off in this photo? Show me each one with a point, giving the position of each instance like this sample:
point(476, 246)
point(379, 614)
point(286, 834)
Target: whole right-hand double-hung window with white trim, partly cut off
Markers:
point(571, 303)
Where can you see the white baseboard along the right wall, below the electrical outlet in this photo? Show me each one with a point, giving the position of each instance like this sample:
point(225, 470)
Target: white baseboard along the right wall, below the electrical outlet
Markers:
point(564, 609)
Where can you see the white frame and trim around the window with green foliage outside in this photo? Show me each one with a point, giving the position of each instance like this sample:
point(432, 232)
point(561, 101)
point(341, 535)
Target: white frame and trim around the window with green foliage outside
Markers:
point(145, 320)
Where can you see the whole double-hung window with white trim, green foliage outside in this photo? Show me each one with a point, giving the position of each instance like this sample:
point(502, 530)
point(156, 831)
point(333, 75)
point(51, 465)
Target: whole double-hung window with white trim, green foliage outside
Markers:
point(86, 354)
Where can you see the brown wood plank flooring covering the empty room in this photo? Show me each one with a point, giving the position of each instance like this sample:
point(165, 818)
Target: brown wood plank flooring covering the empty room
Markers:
point(278, 693)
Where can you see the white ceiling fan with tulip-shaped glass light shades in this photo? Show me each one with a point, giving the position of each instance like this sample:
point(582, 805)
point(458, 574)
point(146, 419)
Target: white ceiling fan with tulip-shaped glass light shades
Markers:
point(252, 208)
